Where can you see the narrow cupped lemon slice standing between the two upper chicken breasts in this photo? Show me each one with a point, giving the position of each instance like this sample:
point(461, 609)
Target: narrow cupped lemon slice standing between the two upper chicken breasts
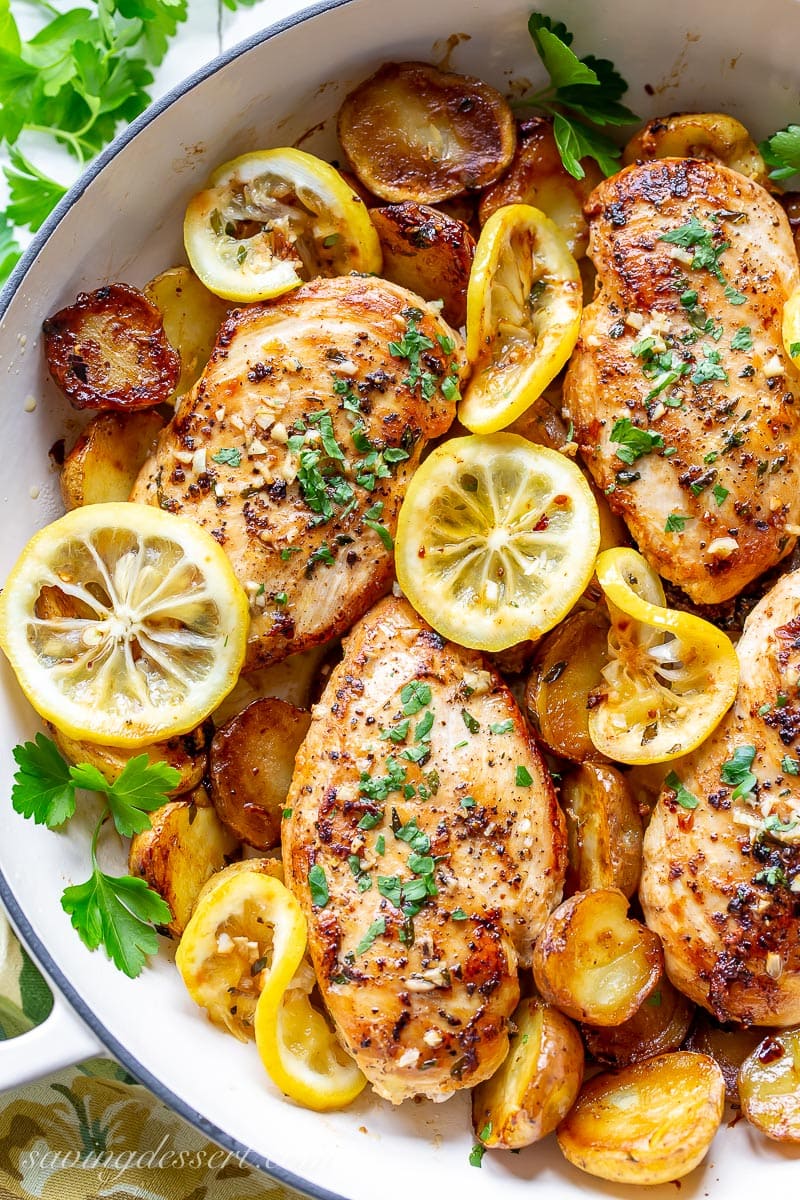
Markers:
point(524, 315)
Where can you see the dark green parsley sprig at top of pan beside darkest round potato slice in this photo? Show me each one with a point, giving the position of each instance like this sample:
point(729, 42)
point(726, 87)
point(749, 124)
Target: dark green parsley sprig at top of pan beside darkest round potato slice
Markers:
point(582, 95)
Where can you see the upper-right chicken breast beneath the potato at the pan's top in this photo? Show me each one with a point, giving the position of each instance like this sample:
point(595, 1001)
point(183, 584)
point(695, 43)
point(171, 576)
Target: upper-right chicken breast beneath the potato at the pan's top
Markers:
point(684, 403)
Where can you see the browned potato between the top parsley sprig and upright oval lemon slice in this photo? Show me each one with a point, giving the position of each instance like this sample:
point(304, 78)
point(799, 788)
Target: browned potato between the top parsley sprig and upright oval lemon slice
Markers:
point(538, 177)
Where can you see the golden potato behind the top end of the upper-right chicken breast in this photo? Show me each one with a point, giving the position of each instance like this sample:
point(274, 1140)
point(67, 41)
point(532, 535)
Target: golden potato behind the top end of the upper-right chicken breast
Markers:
point(714, 137)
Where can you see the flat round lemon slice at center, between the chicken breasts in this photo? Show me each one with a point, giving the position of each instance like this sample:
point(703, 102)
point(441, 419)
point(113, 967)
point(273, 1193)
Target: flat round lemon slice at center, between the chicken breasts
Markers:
point(496, 541)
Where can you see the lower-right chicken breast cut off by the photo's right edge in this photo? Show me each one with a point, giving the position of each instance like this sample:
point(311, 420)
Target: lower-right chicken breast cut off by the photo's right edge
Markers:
point(721, 883)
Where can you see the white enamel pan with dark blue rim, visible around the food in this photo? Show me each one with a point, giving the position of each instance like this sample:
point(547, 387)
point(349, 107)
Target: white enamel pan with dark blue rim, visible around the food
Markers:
point(124, 223)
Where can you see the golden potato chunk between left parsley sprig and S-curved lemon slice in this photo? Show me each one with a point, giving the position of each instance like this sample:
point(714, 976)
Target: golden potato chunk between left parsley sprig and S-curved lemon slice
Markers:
point(184, 848)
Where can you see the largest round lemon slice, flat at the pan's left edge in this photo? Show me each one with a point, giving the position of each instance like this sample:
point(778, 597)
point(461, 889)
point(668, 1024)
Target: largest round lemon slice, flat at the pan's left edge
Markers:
point(124, 625)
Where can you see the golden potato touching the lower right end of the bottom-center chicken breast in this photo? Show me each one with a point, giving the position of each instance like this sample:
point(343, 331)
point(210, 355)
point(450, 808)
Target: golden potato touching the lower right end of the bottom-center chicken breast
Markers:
point(537, 1085)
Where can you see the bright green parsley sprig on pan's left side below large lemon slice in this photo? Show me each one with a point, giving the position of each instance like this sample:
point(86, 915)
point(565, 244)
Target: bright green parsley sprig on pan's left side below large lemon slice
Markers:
point(117, 913)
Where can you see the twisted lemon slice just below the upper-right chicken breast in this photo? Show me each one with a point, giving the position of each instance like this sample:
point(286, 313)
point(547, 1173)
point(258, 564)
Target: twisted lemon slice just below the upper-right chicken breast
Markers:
point(671, 676)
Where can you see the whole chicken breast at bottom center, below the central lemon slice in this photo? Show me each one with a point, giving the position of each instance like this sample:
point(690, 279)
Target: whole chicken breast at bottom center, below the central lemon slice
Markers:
point(426, 848)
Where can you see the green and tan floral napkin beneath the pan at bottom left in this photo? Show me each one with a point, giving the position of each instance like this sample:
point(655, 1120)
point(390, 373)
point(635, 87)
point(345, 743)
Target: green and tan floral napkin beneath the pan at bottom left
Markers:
point(93, 1133)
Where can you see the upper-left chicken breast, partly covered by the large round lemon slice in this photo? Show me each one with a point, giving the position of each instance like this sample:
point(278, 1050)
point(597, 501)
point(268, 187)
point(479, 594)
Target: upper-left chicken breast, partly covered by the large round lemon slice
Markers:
point(296, 447)
